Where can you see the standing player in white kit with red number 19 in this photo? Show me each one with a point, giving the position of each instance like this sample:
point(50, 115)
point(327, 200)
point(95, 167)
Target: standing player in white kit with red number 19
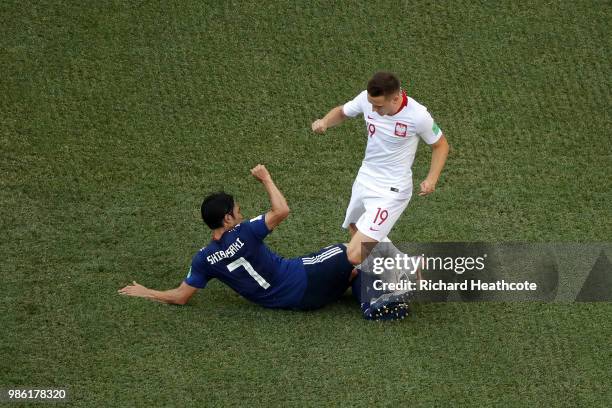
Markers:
point(394, 123)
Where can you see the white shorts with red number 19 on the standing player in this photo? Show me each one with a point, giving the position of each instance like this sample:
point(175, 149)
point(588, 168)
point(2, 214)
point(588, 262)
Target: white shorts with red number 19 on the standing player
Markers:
point(373, 214)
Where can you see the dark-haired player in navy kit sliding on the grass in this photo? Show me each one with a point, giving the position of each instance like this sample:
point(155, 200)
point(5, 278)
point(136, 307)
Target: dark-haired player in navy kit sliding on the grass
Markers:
point(238, 257)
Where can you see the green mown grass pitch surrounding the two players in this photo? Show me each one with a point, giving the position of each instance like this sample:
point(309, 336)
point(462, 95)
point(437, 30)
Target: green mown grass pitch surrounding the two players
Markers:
point(117, 117)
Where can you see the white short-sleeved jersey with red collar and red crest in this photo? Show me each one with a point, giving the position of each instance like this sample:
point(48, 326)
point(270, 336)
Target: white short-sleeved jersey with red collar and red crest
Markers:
point(392, 144)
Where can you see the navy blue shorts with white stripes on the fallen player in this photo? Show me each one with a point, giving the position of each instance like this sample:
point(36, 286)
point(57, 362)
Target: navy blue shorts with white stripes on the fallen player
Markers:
point(328, 272)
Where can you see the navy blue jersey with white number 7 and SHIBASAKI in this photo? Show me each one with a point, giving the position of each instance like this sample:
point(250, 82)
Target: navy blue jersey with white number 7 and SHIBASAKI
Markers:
point(241, 260)
